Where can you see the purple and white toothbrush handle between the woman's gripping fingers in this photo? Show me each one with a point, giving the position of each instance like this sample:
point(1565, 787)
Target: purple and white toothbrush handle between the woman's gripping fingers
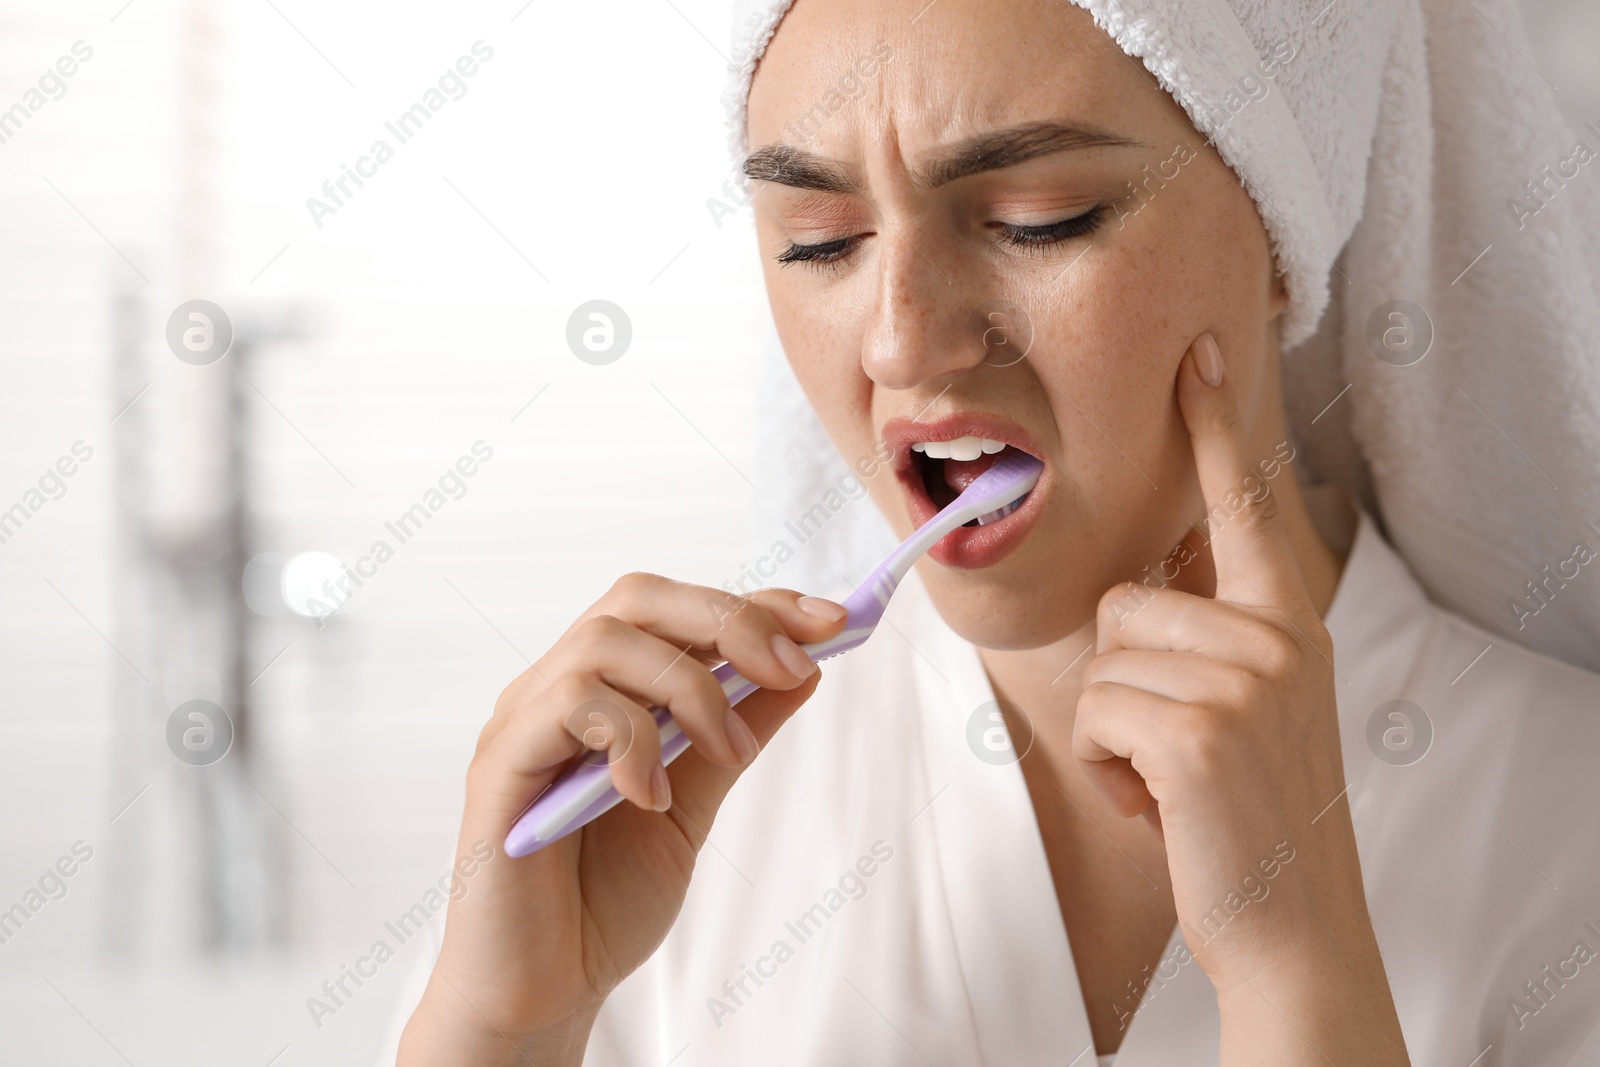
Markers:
point(585, 791)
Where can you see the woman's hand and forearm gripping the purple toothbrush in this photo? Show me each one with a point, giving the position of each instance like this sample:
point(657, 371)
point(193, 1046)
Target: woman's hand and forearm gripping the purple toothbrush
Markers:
point(535, 945)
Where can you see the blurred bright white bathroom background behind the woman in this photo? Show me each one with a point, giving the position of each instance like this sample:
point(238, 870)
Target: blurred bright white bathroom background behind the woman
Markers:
point(266, 561)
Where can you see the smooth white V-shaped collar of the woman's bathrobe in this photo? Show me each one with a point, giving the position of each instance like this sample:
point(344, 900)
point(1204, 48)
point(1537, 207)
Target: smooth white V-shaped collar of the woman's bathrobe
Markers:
point(998, 882)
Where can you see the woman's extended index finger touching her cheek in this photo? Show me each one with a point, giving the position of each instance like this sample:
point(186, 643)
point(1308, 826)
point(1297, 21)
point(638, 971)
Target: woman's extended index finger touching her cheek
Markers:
point(1249, 546)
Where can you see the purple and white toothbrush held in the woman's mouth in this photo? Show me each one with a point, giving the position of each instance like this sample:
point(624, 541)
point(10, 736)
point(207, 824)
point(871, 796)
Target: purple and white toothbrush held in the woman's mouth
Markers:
point(585, 791)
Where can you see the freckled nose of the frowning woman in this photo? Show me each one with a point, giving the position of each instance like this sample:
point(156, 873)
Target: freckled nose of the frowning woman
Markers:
point(924, 324)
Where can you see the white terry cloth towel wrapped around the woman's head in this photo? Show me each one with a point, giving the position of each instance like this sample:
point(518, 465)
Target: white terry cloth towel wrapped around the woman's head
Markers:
point(1439, 230)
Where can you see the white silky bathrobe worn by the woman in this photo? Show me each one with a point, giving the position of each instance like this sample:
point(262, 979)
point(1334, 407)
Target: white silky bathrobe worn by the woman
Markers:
point(876, 893)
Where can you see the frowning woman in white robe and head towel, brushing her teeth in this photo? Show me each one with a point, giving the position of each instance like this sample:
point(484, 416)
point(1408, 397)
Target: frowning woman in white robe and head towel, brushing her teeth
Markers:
point(1177, 764)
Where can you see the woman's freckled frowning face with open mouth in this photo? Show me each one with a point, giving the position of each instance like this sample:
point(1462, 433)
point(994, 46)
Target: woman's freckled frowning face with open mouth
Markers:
point(986, 222)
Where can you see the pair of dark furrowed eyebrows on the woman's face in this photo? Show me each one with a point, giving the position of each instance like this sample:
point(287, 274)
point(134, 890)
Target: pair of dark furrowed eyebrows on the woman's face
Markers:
point(790, 166)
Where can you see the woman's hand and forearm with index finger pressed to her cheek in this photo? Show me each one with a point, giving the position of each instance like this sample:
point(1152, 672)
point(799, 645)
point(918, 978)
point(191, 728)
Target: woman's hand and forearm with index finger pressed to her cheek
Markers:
point(1215, 719)
